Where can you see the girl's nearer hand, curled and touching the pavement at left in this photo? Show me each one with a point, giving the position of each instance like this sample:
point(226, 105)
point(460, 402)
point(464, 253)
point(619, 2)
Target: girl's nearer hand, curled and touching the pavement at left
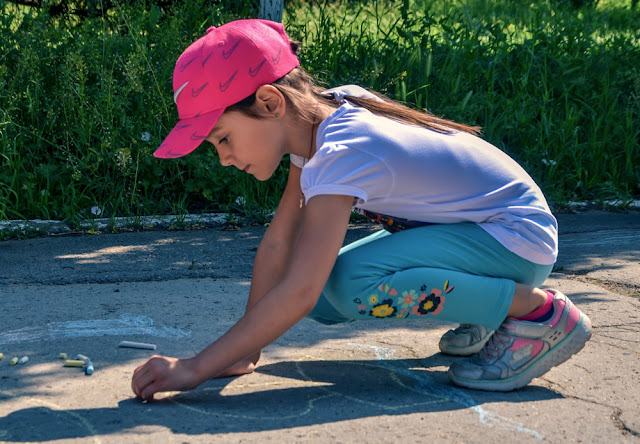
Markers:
point(162, 374)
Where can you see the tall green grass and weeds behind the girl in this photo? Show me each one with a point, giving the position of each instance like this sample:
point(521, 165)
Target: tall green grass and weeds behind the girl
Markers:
point(84, 103)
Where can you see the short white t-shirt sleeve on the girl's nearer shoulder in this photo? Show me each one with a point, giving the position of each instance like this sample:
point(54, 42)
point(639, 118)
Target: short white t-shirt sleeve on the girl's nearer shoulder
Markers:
point(339, 169)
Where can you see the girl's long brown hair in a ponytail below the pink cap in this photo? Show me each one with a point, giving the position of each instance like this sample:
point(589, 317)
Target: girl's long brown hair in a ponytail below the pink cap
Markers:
point(300, 90)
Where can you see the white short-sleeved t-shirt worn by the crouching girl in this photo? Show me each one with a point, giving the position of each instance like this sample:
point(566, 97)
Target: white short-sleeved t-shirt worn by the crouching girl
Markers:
point(418, 174)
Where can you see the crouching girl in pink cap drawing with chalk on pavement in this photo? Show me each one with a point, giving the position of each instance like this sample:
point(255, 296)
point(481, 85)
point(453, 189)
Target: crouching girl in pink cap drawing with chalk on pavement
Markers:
point(473, 236)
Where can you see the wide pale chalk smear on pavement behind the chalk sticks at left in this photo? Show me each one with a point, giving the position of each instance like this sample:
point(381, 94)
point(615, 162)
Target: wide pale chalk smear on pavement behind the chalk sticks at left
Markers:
point(126, 324)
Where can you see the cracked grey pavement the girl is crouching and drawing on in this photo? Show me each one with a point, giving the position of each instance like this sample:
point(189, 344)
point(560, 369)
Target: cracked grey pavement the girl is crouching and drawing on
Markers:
point(364, 382)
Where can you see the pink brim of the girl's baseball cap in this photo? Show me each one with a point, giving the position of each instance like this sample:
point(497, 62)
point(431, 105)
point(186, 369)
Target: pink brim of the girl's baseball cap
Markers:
point(187, 135)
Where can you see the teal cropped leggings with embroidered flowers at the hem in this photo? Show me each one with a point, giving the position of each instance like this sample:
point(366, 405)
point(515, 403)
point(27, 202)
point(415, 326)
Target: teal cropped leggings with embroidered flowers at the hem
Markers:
point(454, 272)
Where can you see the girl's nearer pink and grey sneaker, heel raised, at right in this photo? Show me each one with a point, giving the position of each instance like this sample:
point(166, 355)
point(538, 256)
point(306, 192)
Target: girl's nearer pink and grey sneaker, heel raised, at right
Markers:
point(521, 350)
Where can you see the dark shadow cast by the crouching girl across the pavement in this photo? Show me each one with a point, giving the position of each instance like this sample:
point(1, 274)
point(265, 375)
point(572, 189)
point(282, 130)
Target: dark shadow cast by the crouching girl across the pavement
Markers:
point(279, 396)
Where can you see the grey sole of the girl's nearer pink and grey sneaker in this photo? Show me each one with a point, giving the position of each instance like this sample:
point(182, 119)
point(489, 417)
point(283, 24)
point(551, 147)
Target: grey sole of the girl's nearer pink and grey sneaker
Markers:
point(568, 347)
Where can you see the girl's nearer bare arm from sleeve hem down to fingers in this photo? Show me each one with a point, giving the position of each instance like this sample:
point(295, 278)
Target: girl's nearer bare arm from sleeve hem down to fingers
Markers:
point(312, 259)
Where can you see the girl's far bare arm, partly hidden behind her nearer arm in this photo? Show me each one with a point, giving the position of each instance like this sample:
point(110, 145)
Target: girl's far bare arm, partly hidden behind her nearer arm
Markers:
point(273, 255)
